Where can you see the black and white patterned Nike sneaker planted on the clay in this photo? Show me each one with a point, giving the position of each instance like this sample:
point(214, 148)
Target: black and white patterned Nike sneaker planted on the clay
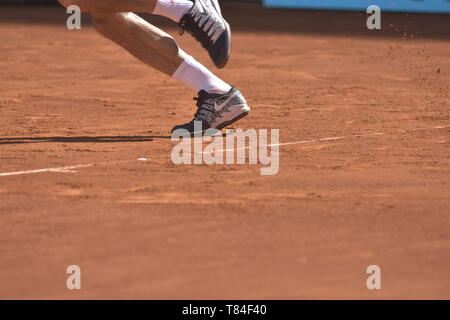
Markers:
point(216, 111)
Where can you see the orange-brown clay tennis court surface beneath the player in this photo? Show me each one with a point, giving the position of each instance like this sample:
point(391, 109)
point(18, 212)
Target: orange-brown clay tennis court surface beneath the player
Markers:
point(380, 194)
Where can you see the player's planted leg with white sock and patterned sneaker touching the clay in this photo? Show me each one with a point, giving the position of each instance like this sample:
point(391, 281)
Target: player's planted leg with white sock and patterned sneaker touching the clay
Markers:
point(218, 103)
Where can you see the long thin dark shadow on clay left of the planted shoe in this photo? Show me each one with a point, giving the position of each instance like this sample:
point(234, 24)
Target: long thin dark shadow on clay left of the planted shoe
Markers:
point(80, 139)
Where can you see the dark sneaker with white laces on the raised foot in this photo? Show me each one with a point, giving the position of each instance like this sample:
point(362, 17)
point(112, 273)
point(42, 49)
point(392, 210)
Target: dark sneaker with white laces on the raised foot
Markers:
point(206, 24)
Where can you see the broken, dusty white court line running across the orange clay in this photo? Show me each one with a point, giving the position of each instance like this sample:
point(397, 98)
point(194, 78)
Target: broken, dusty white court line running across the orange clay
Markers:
point(70, 169)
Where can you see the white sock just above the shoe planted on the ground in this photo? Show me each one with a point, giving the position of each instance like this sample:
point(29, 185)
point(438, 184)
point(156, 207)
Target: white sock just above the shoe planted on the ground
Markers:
point(196, 76)
